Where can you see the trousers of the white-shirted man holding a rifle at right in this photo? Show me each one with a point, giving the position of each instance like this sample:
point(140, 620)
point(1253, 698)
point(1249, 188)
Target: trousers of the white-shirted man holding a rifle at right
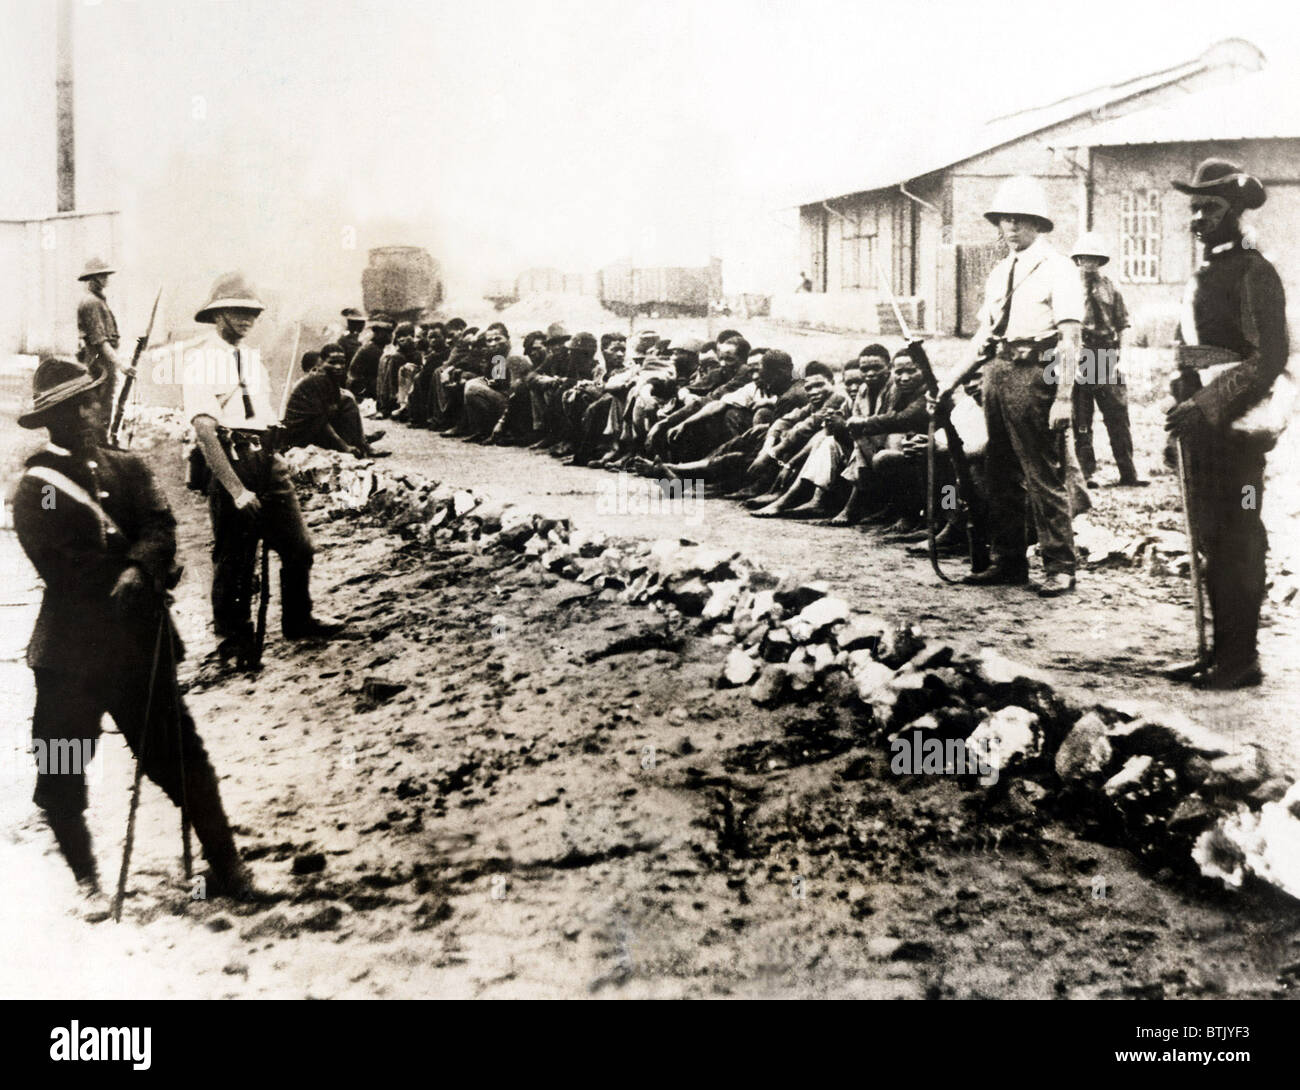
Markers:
point(1025, 465)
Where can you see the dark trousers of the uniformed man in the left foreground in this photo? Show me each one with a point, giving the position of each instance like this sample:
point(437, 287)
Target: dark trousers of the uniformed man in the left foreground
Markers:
point(67, 728)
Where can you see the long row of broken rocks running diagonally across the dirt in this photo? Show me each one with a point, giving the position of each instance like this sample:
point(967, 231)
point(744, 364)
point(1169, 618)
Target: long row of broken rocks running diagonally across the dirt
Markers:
point(1164, 786)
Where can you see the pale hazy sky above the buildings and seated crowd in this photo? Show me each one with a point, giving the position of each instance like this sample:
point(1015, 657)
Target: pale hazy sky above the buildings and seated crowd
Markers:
point(504, 135)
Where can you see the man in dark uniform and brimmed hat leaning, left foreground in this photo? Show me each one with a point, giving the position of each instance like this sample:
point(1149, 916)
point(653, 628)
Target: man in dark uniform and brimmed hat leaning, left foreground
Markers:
point(103, 539)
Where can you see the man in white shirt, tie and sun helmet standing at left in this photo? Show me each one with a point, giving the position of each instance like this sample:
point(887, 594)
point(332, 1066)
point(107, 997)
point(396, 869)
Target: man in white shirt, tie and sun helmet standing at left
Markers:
point(250, 495)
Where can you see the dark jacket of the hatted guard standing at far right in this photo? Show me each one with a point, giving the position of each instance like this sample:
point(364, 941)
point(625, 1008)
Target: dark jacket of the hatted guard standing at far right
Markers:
point(1238, 304)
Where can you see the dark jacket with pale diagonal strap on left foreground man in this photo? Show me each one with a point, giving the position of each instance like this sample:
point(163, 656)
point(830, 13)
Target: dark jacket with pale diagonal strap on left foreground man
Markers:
point(80, 557)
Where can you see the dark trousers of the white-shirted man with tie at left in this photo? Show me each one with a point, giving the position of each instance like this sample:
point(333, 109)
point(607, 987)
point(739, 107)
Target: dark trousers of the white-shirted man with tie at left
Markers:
point(236, 537)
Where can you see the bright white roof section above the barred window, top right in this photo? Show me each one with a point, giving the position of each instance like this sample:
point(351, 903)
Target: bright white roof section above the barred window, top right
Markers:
point(1260, 106)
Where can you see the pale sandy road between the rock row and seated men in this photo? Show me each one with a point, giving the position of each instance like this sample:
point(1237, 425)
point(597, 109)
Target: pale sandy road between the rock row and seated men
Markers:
point(1103, 643)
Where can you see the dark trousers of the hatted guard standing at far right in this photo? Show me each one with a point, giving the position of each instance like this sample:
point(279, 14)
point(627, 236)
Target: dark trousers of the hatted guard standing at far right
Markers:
point(1227, 478)
